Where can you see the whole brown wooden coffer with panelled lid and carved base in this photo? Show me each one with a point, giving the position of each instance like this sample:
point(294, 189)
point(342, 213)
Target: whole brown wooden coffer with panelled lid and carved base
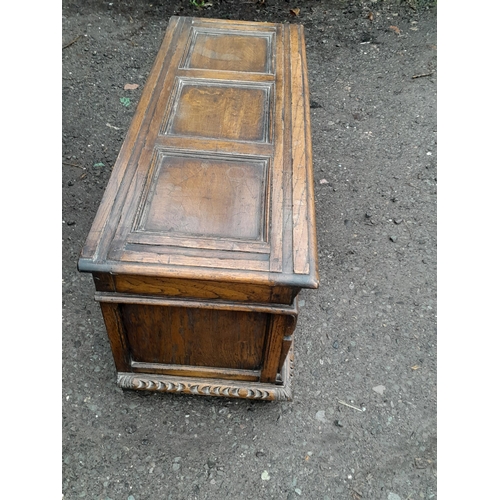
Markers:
point(206, 232)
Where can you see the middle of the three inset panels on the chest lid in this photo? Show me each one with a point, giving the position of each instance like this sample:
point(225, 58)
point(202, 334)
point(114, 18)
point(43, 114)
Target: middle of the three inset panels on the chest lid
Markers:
point(236, 111)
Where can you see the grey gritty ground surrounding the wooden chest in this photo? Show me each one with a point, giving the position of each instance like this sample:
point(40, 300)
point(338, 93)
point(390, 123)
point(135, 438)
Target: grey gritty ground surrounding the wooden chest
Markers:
point(366, 337)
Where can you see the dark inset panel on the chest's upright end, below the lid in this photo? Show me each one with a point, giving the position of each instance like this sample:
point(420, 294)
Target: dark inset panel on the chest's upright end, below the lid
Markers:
point(199, 337)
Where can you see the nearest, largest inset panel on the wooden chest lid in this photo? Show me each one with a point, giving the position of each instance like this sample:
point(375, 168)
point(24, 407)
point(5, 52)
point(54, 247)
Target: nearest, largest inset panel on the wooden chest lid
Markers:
point(206, 196)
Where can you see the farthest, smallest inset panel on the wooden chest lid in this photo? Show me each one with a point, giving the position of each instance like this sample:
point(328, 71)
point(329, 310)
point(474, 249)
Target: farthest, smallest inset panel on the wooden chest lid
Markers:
point(224, 50)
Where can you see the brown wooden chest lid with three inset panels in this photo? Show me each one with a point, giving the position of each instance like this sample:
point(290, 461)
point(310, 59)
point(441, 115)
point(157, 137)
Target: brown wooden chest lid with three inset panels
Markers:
point(214, 179)
